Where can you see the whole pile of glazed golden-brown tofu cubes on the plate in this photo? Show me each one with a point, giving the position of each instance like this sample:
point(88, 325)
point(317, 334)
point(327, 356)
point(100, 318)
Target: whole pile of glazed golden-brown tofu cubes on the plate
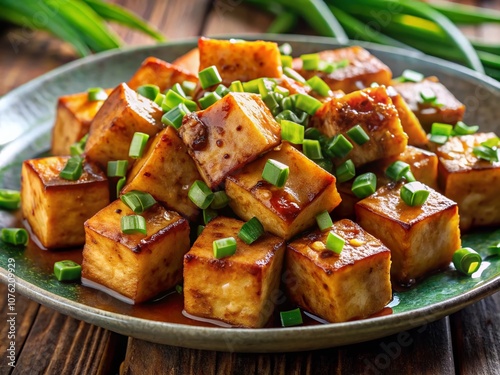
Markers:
point(227, 146)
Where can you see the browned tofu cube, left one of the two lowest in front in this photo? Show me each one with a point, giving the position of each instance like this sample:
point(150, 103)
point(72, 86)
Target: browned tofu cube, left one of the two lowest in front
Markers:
point(239, 289)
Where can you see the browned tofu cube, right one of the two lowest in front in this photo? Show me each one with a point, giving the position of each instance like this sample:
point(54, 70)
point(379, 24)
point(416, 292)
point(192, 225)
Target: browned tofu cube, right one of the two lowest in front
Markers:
point(339, 287)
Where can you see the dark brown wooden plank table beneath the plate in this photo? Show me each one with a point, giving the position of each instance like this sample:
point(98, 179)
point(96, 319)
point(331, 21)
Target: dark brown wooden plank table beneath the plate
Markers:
point(48, 342)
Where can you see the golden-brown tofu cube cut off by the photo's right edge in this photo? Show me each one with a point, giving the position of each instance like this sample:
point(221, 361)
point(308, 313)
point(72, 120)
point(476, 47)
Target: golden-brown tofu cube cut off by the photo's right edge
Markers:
point(471, 182)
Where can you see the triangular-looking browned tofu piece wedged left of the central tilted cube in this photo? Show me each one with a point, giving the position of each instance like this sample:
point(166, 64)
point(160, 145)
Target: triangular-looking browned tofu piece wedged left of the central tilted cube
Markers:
point(166, 171)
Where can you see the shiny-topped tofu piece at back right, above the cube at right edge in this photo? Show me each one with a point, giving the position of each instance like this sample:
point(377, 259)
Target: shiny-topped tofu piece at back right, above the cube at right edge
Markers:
point(448, 109)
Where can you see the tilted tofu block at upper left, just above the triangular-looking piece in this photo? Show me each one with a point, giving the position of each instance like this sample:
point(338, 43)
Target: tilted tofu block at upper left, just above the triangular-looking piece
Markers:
point(122, 114)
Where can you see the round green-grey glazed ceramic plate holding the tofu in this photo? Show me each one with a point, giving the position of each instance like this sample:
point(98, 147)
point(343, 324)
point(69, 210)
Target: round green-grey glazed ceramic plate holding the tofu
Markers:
point(26, 118)
